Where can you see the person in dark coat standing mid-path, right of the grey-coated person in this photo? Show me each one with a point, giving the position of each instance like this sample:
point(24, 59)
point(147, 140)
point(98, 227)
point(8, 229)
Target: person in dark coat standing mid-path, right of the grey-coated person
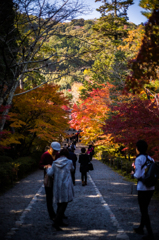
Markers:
point(84, 160)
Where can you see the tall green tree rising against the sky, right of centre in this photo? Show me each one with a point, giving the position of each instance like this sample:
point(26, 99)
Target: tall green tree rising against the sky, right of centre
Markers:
point(110, 62)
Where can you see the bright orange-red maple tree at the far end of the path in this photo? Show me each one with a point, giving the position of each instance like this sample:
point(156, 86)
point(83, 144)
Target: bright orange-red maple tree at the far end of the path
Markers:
point(90, 114)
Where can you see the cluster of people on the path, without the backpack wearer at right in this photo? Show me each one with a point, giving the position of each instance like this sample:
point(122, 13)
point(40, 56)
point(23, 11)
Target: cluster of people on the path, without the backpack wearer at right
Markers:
point(59, 167)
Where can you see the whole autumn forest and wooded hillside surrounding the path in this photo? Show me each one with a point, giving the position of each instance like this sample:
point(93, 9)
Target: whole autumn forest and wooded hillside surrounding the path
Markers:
point(103, 71)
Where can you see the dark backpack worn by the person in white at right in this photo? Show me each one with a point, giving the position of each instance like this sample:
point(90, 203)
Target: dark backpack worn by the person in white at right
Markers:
point(152, 173)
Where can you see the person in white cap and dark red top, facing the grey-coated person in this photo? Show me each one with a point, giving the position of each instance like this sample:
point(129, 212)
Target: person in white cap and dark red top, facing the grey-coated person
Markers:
point(46, 160)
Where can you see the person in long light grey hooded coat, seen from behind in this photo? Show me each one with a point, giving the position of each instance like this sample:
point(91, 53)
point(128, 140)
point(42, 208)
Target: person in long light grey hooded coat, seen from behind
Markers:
point(63, 191)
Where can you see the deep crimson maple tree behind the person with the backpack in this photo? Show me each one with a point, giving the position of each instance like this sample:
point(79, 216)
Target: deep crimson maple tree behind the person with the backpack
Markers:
point(134, 119)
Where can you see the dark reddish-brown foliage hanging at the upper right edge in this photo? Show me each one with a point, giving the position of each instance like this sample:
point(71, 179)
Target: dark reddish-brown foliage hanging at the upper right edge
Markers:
point(145, 66)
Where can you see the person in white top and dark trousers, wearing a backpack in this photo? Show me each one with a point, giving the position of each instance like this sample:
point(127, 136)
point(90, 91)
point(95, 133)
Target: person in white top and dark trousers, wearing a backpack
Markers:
point(144, 193)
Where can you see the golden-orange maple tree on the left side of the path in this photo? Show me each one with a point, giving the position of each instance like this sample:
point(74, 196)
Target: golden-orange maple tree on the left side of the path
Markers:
point(37, 118)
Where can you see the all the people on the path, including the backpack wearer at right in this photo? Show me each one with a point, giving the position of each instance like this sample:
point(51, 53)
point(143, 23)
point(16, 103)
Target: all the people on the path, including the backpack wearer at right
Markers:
point(59, 167)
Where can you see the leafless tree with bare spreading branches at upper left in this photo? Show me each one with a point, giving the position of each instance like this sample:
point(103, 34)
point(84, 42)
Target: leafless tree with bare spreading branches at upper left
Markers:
point(30, 25)
